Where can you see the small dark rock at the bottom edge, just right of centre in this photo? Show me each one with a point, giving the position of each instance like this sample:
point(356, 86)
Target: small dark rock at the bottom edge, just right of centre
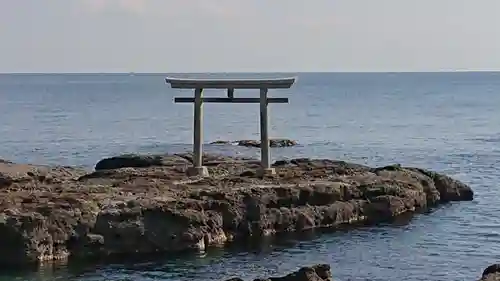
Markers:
point(319, 272)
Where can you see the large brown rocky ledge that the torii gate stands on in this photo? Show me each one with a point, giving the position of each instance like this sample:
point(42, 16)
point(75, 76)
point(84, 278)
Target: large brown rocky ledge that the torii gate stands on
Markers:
point(146, 204)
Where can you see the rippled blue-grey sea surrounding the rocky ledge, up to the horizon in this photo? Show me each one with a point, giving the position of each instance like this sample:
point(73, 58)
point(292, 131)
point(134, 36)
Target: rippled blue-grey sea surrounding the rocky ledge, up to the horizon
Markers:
point(447, 122)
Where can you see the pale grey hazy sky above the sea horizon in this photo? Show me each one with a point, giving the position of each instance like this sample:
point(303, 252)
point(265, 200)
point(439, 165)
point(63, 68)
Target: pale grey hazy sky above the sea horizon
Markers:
point(248, 35)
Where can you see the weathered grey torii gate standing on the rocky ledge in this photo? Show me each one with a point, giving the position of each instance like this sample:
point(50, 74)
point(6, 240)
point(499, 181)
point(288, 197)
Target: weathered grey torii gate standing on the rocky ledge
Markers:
point(230, 85)
